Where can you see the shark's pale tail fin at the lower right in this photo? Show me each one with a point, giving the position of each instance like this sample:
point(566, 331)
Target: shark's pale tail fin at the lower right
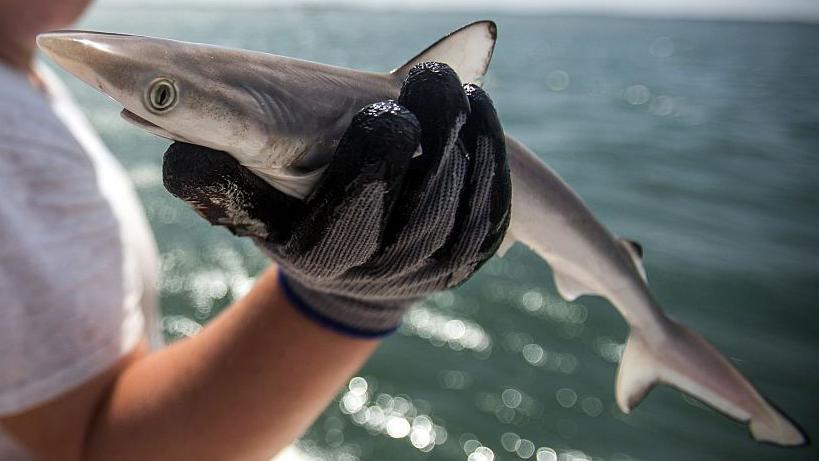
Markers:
point(685, 360)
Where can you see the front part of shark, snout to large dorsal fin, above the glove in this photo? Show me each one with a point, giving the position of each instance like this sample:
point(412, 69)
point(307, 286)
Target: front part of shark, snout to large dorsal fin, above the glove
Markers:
point(281, 117)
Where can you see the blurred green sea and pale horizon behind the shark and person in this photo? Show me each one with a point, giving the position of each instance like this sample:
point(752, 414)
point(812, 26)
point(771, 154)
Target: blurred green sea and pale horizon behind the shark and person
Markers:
point(691, 127)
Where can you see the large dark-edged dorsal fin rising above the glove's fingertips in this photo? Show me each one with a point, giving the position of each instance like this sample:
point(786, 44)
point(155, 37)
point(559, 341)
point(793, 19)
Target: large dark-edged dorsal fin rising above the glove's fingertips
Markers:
point(468, 50)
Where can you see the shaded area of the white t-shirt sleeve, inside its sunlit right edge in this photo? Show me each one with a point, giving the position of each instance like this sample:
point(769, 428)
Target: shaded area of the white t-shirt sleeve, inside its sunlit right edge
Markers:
point(65, 312)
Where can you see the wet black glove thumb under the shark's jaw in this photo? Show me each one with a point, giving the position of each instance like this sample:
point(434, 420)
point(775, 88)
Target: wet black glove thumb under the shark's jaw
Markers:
point(226, 193)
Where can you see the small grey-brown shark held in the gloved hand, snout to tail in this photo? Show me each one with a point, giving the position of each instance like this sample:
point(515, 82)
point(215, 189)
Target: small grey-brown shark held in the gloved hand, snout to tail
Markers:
point(283, 117)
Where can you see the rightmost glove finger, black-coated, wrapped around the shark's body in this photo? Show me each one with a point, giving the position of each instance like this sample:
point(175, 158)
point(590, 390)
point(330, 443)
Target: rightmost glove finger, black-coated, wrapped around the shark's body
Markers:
point(484, 212)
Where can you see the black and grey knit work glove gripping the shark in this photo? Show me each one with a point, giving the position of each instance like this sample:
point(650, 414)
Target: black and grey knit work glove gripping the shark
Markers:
point(382, 229)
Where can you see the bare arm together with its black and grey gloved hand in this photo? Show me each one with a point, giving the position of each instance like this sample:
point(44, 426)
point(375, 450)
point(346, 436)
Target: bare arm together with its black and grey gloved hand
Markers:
point(382, 229)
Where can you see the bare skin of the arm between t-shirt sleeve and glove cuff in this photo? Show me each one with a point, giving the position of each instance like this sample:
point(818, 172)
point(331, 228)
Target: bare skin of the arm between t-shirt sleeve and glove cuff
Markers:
point(244, 388)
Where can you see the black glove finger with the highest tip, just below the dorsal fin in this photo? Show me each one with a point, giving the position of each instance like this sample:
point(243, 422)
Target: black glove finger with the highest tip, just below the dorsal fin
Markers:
point(434, 94)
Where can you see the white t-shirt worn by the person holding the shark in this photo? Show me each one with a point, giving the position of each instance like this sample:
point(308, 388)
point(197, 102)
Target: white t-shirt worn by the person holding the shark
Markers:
point(78, 264)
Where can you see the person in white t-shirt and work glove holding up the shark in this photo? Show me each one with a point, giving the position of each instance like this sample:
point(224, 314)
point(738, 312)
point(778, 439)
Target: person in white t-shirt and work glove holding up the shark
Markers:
point(79, 378)
